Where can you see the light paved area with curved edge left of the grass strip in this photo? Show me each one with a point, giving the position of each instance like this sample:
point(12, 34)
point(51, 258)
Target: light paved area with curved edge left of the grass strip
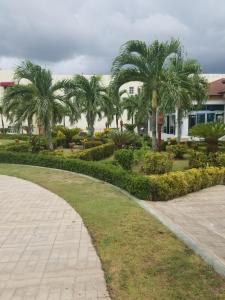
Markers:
point(45, 250)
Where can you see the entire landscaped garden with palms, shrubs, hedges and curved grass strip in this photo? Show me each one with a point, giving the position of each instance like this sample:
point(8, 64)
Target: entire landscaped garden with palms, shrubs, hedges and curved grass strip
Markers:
point(140, 257)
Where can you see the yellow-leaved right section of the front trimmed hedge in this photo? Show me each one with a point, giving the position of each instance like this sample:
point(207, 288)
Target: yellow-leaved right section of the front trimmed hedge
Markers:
point(176, 184)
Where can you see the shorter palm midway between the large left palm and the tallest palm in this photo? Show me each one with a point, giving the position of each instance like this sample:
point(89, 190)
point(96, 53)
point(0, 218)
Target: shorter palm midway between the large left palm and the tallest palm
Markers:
point(88, 97)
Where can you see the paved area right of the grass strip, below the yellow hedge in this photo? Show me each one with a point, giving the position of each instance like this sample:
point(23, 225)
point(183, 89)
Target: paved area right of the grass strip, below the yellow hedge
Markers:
point(201, 217)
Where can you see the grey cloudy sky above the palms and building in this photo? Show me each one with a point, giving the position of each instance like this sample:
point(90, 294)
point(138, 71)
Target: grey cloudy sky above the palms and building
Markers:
point(83, 36)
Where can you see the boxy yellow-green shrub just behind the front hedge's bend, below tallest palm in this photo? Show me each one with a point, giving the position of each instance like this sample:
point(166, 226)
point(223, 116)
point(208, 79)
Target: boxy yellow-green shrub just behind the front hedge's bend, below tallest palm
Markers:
point(157, 163)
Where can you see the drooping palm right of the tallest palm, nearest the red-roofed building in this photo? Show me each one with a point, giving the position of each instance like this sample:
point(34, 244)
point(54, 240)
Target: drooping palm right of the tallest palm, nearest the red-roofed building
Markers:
point(183, 84)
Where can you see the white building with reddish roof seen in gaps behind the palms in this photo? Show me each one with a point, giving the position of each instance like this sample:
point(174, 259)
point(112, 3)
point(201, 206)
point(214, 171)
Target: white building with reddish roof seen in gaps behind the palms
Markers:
point(212, 110)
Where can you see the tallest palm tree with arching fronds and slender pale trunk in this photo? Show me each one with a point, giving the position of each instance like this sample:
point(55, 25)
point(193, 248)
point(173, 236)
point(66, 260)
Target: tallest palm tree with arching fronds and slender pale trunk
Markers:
point(138, 61)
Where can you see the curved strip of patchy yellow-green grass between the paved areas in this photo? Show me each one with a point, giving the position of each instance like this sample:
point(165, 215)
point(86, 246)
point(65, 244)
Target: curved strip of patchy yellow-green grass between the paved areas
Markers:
point(141, 258)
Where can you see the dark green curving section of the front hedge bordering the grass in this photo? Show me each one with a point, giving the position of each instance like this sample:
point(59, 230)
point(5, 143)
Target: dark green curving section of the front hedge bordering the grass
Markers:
point(136, 185)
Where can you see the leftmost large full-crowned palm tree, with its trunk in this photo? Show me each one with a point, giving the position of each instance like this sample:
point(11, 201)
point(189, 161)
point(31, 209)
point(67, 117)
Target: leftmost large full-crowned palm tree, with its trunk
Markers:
point(40, 97)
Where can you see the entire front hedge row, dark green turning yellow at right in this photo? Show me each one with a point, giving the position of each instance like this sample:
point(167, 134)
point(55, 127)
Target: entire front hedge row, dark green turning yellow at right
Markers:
point(154, 187)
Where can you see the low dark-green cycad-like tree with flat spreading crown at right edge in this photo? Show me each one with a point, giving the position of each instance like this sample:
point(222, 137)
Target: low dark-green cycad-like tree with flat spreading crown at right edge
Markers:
point(211, 133)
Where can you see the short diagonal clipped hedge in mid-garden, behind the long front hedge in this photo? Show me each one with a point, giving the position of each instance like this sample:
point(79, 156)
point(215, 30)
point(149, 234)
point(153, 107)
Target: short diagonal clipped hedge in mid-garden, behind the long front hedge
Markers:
point(95, 153)
